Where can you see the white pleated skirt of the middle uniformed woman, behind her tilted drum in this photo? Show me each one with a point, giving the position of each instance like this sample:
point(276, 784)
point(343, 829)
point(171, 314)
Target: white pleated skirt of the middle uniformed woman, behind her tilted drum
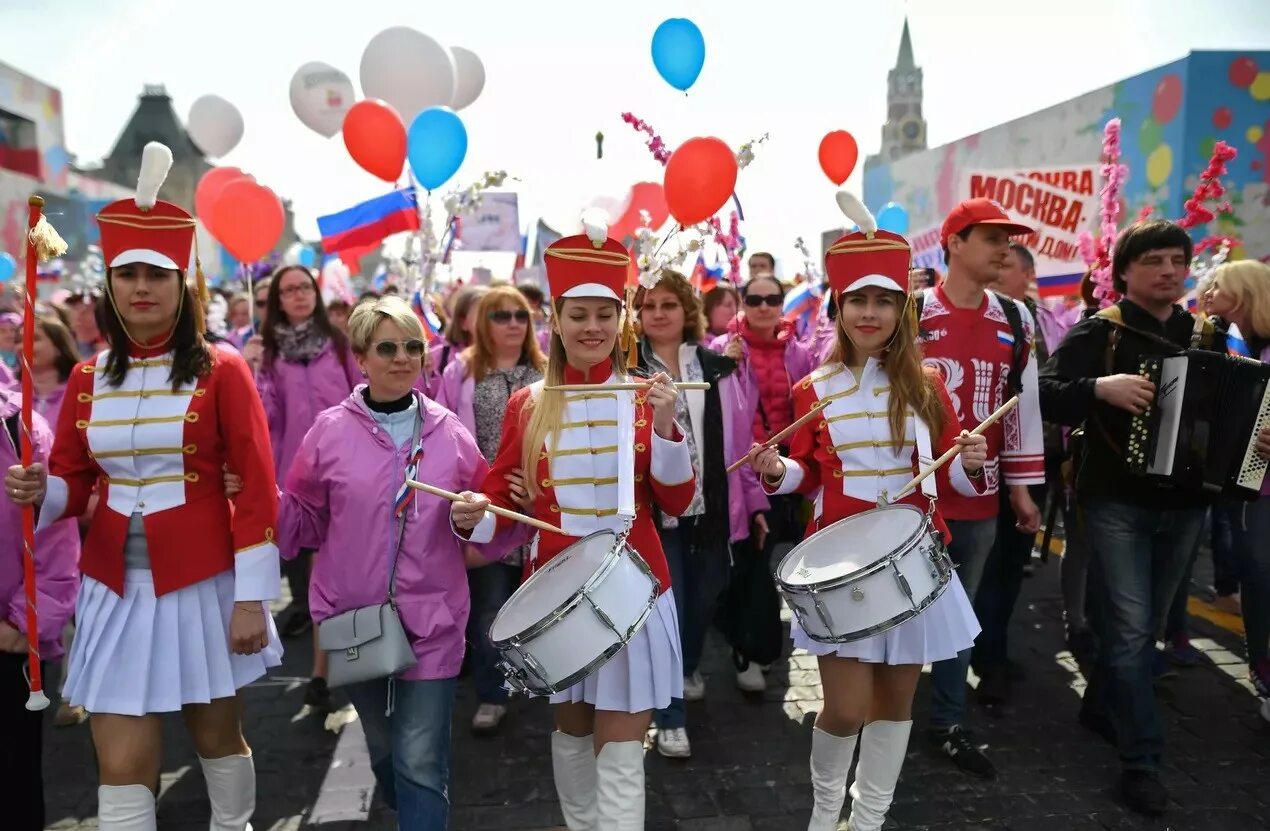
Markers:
point(646, 675)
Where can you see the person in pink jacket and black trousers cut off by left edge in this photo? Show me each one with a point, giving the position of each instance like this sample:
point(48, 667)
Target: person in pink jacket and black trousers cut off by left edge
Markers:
point(58, 585)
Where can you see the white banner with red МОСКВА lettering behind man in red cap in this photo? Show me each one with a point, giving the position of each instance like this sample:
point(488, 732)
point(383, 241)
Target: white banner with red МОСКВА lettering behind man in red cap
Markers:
point(1060, 203)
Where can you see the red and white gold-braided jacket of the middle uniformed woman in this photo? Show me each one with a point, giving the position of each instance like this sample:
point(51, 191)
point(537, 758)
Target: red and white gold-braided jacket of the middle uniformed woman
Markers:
point(609, 466)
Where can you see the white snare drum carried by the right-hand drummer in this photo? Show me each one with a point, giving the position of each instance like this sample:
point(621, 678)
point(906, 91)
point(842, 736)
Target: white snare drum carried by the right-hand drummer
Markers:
point(866, 575)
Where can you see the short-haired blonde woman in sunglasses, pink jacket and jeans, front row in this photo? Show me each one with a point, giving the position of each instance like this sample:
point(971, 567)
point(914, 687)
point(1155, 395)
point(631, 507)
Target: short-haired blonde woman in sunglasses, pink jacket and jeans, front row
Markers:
point(346, 499)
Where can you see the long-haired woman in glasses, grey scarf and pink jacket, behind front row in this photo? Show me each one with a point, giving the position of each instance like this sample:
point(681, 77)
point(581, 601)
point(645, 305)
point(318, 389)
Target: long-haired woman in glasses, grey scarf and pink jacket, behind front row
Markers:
point(303, 367)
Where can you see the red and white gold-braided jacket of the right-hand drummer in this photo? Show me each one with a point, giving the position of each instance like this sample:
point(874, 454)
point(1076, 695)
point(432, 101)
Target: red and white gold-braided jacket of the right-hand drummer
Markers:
point(848, 449)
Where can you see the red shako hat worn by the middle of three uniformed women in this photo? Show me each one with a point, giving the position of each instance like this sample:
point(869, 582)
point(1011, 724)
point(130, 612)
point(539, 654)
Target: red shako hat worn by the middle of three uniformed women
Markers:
point(590, 265)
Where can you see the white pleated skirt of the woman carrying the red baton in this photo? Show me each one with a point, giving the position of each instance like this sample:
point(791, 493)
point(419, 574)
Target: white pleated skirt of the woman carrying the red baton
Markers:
point(139, 654)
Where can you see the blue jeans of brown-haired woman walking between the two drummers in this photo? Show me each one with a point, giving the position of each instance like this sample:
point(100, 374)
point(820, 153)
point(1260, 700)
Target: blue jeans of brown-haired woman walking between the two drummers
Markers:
point(698, 575)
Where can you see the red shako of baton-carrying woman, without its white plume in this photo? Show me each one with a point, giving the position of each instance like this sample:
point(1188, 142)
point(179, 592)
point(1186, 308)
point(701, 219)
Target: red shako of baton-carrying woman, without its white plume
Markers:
point(162, 237)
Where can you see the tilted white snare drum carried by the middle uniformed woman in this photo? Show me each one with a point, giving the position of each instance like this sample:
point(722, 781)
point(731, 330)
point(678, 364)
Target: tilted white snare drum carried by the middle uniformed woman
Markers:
point(575, 614)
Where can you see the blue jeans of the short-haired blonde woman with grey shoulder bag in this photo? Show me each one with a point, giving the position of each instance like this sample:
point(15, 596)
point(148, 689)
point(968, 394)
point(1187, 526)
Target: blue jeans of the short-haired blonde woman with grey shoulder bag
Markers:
point(411, 749)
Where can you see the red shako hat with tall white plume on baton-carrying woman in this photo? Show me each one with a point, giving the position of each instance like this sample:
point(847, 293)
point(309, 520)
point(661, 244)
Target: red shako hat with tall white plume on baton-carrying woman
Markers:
point(144, 229)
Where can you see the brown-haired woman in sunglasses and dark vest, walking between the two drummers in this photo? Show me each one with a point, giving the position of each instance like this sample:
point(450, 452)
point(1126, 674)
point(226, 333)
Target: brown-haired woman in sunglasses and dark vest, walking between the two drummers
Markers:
point(727, 506)
